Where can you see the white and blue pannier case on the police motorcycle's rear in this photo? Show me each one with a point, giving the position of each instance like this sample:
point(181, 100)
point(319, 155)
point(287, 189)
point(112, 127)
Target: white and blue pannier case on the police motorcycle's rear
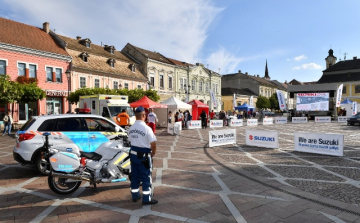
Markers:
point(65, 162)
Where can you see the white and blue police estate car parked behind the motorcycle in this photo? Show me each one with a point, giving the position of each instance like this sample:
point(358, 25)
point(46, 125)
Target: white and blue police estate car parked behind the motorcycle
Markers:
point(87, 132)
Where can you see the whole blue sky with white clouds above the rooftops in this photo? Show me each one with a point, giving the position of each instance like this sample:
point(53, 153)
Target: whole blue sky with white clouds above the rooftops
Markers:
point(294, 37)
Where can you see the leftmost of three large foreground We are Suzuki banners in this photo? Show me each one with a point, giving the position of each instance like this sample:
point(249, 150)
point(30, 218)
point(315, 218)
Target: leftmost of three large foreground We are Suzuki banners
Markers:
point(222, 137)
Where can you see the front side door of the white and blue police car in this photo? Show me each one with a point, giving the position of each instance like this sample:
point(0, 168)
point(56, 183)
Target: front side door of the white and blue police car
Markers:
point(100, 131)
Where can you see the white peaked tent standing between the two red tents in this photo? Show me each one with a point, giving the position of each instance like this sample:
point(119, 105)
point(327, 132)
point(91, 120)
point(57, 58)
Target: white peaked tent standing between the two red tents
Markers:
point(174, 105)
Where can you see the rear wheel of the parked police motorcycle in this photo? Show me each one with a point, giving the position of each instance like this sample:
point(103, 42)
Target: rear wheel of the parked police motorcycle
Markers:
point(60, 185)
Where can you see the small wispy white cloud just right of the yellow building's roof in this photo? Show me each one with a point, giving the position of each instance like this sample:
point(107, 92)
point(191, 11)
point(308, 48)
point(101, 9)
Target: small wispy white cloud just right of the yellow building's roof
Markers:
point(223, 59)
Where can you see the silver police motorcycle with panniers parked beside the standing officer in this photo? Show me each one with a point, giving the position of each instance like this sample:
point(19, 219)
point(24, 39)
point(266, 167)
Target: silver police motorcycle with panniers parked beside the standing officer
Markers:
point(110, 163)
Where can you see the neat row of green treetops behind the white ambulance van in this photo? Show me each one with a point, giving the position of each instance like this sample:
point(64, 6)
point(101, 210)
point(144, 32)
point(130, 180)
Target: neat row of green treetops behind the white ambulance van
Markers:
point(133, 95)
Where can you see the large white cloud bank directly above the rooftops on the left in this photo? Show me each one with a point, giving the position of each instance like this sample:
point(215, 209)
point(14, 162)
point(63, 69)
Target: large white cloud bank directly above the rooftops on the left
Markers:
point(177, 29)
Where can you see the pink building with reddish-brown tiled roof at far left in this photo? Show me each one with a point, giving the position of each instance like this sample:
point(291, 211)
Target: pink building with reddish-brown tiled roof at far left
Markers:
point(34, 52)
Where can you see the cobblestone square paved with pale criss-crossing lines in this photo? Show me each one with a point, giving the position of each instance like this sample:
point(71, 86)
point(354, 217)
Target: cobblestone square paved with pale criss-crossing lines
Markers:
point(197, 184)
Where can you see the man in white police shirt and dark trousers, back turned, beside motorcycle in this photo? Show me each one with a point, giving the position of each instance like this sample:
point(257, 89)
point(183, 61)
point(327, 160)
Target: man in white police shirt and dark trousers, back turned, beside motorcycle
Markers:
point(143, 149)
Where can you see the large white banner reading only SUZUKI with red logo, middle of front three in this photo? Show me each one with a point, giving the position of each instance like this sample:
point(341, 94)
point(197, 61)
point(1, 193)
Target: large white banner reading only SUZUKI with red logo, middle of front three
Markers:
point(260, 138)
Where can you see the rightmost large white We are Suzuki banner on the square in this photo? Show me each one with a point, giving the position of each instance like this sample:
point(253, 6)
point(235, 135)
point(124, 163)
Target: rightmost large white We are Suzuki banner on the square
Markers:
point(319, 143)
